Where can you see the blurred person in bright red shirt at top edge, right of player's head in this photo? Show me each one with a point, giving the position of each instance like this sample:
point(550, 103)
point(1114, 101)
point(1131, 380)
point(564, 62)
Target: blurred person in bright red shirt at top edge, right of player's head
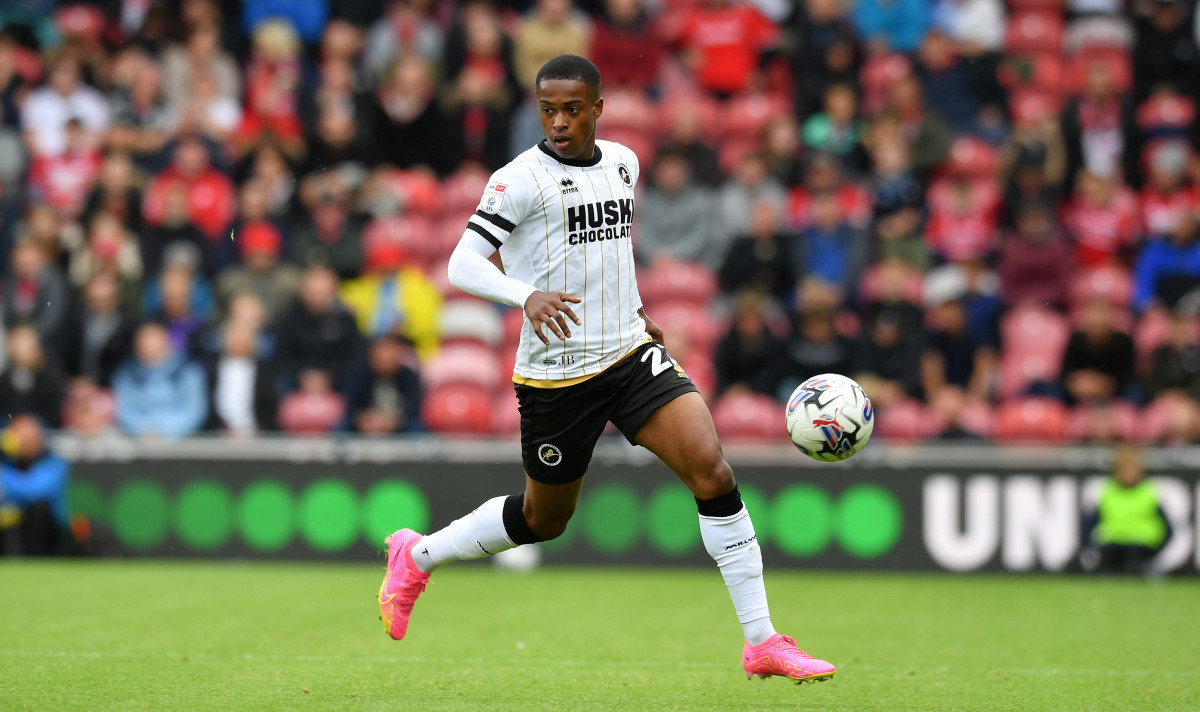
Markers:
point(723, 41)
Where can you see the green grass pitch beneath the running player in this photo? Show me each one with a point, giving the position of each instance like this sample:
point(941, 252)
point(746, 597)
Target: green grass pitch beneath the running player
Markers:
point(149, 636)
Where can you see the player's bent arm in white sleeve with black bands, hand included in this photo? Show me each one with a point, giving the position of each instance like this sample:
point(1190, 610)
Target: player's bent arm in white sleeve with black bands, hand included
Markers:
point(472, 270)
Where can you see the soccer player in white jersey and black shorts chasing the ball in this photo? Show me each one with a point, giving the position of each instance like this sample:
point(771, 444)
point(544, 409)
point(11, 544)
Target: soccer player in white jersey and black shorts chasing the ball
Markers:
point(561, 217)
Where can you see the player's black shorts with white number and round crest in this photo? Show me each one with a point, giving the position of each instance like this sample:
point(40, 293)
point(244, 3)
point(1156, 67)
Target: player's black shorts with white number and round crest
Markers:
point(560, 427)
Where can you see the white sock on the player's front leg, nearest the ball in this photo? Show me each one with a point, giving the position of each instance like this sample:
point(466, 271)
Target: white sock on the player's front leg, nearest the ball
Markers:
point(734, 546)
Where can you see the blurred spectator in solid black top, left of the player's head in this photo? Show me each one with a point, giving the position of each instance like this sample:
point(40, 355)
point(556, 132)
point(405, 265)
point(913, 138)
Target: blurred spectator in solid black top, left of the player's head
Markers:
point(412, 125)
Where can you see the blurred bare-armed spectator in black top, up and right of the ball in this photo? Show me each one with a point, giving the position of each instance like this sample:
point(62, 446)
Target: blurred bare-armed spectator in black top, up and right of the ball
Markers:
point(955, 357)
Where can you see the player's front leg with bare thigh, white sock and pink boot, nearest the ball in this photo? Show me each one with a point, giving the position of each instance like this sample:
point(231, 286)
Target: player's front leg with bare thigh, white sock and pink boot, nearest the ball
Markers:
point(682, 434)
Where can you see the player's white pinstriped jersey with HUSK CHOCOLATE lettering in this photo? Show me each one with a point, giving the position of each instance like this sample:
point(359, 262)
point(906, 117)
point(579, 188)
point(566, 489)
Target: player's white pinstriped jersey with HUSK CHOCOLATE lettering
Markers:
point(565, 226)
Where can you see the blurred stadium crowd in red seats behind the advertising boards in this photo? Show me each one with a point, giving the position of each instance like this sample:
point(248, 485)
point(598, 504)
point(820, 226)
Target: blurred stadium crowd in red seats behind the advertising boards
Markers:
point(236, 217)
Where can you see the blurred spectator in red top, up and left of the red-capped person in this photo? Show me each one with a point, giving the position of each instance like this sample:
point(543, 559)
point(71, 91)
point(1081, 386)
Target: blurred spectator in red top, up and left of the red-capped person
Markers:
point(211, 194)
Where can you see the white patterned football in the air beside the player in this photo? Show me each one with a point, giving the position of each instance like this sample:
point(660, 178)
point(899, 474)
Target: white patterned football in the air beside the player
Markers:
point(830, 418)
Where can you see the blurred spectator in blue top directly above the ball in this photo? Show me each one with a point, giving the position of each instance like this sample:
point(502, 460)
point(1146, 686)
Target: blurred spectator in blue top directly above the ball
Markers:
point(829, 249)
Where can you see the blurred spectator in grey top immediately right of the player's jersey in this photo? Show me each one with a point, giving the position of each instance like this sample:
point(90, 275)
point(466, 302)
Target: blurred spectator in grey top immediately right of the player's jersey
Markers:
point(675, 218)
